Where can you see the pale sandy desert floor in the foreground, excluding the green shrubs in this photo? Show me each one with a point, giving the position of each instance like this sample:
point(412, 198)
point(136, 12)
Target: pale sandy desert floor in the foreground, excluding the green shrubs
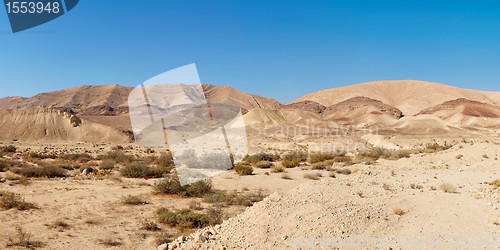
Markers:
point(300, 213)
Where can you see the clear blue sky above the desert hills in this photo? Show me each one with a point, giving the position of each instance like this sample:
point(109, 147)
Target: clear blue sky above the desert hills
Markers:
point(280, 49)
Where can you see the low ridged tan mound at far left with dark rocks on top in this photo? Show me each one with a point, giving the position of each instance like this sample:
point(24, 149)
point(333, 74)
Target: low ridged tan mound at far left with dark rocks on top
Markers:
point(55, 126)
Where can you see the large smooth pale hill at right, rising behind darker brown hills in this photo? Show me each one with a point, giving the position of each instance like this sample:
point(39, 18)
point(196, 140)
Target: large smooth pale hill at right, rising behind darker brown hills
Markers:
point(407, 95)
